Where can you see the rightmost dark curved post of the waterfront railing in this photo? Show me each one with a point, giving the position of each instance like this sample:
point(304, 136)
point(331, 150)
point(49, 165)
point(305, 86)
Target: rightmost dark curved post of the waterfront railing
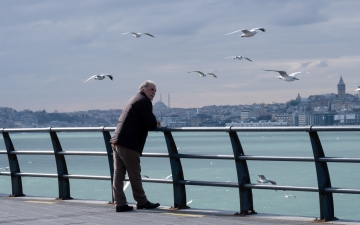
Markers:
point(323, 179)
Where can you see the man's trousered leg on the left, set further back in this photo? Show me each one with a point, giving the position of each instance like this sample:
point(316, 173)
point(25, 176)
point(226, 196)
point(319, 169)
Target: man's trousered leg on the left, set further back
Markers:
point(119, 177)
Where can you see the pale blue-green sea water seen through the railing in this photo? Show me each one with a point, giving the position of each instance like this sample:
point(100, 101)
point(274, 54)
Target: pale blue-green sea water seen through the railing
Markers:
point(335, 144)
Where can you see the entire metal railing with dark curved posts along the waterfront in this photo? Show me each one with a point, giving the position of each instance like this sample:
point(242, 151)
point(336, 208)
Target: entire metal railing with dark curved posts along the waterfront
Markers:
point(324, 188)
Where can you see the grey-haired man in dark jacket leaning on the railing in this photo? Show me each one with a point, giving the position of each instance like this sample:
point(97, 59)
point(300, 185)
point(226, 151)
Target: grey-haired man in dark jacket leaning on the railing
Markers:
point(128, 143)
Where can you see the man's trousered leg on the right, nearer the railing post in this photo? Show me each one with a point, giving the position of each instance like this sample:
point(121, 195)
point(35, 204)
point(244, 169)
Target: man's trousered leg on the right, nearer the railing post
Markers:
point(131, 160)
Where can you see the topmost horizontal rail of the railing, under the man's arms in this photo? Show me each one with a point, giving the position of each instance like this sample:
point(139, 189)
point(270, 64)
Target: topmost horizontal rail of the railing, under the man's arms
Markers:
point(192, 129)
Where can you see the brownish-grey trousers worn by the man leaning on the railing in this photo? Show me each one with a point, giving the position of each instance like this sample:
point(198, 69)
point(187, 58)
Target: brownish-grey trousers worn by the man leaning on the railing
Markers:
point(126, 159)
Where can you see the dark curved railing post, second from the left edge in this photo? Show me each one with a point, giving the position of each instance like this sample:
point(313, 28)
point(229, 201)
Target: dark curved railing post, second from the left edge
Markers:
point(64, 183)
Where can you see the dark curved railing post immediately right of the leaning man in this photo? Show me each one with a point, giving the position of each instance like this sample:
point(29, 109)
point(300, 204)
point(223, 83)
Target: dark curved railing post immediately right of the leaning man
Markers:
point(177, 172)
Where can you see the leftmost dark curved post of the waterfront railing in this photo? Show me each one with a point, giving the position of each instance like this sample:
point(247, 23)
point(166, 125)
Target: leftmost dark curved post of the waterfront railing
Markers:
point(16, 183)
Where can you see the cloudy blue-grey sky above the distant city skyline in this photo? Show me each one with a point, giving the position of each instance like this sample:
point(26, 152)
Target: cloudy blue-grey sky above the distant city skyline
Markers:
point(48, 48)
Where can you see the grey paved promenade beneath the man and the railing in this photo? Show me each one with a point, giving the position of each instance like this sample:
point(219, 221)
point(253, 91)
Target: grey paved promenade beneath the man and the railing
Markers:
point(37, 210)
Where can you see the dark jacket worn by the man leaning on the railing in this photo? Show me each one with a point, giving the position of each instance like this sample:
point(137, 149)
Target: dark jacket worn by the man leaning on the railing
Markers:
point(136, 119)
